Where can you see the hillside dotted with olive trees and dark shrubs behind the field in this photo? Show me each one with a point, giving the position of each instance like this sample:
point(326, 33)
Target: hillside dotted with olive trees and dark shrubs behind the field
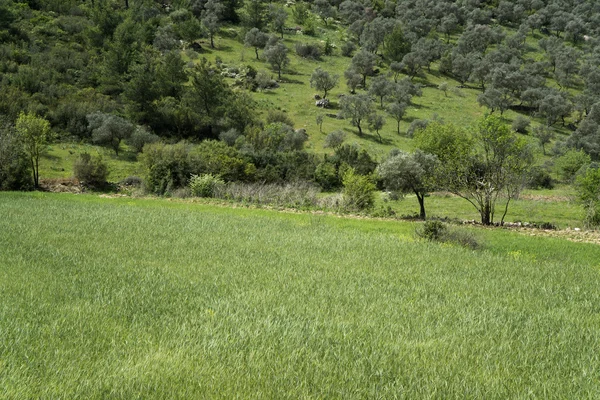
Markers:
point(245, 76)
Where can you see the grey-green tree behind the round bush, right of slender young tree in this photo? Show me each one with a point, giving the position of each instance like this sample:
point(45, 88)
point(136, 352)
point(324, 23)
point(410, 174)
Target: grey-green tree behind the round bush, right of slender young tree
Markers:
point(109, 129)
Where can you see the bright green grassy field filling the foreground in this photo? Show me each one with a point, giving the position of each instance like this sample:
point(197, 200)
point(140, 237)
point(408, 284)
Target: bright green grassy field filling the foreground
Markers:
point(122, 298)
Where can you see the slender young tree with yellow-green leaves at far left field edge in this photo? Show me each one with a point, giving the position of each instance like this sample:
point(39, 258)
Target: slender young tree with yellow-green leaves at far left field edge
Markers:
point(35, 135)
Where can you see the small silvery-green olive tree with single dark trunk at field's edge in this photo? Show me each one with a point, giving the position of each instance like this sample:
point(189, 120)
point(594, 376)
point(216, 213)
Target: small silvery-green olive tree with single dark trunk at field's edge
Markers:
point(405, 173)
